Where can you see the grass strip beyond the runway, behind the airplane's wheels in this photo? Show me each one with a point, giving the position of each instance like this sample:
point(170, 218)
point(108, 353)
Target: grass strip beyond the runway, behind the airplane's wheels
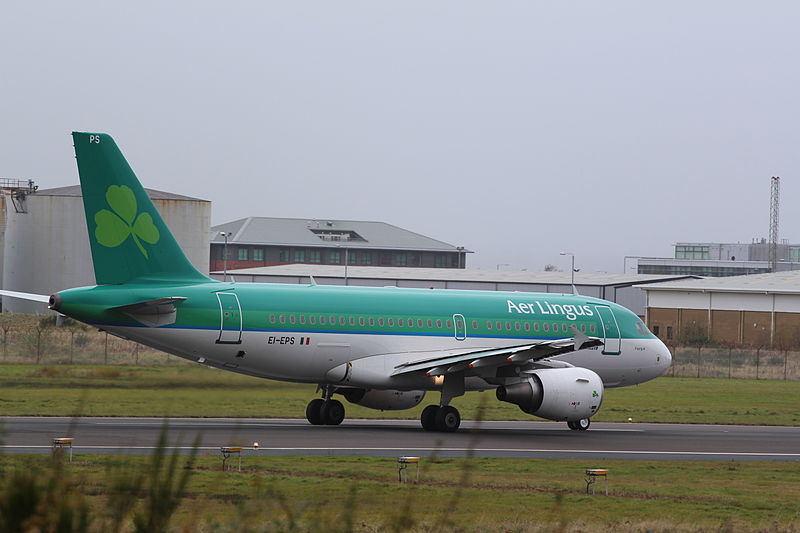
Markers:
point(197, 391)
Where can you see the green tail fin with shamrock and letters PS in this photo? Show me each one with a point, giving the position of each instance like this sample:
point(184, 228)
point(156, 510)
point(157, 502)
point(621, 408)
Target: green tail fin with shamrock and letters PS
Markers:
point(128, 237)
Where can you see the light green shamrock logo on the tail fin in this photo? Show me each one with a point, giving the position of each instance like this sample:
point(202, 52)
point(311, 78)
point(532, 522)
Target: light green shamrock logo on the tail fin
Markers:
point(114, 228)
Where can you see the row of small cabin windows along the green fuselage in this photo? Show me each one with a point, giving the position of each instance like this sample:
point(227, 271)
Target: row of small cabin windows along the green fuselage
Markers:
point(420, 323)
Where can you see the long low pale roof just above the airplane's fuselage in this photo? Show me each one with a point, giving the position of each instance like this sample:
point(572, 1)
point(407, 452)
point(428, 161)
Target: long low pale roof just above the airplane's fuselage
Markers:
point(454, 274)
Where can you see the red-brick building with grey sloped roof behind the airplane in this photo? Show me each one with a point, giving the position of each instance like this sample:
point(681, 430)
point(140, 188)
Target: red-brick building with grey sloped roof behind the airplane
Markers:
point(265, 241)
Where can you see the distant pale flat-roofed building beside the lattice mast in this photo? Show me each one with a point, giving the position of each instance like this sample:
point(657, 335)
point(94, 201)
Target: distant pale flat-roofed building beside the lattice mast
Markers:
point(710, 259)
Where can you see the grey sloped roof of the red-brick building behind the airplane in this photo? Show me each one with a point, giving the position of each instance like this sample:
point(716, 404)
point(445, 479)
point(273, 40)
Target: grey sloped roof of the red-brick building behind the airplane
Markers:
point(301, 232)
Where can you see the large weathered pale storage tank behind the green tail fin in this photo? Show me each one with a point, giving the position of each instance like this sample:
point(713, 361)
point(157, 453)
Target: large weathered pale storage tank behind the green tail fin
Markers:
point(45, 244)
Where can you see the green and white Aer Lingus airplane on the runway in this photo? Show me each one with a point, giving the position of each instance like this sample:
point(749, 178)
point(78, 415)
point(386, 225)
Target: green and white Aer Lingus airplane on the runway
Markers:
point(553, 355)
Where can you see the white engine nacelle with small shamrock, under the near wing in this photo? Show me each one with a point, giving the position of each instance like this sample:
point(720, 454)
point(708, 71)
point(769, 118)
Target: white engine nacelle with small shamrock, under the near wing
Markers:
point(557, 393)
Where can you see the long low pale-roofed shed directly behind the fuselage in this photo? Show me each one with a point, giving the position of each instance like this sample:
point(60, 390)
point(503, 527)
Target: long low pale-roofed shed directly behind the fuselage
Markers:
point(623, 289)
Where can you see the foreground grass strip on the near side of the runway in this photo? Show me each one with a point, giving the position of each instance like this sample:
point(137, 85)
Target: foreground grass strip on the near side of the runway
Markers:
point(502, 495)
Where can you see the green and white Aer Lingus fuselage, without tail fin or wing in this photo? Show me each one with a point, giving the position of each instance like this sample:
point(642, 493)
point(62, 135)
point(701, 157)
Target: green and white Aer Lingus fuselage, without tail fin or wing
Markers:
point(303, 333)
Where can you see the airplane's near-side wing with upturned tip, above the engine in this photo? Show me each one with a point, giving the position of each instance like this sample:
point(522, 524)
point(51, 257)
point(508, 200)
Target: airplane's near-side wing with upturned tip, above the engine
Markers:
point(447, 363)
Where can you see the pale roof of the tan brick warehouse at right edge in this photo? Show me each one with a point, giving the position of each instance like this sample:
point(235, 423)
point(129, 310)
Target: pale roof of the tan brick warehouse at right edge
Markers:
point(777, 282)
